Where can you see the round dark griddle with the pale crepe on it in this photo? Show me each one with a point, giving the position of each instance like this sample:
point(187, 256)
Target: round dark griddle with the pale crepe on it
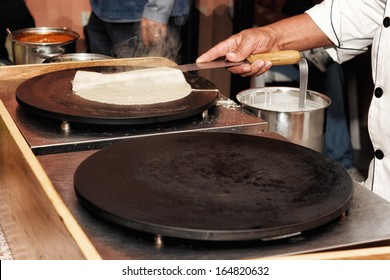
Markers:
point(50, 95)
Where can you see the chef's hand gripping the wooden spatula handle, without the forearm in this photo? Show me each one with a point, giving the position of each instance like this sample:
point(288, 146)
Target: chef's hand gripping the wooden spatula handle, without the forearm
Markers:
point(239, 46)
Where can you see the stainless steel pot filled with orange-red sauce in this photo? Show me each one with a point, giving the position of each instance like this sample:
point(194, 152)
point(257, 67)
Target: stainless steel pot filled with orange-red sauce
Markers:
point(36, 51)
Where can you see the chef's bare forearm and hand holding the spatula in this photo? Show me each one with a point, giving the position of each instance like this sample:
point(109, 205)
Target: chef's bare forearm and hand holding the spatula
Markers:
point(294, 33)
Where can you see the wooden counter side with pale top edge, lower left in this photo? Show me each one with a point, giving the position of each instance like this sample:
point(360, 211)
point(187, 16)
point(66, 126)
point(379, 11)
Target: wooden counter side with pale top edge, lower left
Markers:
point(13, 140)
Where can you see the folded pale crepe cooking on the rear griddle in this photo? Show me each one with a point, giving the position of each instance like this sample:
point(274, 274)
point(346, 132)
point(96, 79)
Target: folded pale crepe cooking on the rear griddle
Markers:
point(137, 87)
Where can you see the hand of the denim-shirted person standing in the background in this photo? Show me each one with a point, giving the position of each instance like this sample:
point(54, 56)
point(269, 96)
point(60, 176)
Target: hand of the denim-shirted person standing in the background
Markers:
point(152, 32)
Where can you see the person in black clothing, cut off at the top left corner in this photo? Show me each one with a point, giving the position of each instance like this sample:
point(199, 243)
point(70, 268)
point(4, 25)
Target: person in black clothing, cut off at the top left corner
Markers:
point(14, 15)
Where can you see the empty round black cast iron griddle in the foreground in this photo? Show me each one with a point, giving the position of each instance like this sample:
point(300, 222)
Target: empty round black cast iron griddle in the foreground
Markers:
point(213, 186)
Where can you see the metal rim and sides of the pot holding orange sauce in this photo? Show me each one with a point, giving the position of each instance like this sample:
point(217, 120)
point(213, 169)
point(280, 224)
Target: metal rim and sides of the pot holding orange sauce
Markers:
point(30, 53)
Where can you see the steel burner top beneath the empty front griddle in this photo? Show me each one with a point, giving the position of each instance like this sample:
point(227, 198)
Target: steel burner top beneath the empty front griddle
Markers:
point(367, 221)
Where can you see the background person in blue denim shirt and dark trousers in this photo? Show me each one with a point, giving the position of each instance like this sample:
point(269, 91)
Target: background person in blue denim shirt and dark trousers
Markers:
point(133, 28)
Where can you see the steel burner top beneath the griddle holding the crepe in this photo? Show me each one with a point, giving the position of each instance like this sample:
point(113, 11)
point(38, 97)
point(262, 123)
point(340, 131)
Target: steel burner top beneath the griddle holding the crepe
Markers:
point(47, 136)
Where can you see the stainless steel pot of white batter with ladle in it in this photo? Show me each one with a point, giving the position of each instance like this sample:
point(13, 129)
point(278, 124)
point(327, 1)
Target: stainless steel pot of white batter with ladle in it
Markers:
point(278, 106)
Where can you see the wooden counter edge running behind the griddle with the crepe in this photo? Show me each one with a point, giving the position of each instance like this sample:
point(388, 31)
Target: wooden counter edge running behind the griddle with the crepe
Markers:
point(25, 71)
